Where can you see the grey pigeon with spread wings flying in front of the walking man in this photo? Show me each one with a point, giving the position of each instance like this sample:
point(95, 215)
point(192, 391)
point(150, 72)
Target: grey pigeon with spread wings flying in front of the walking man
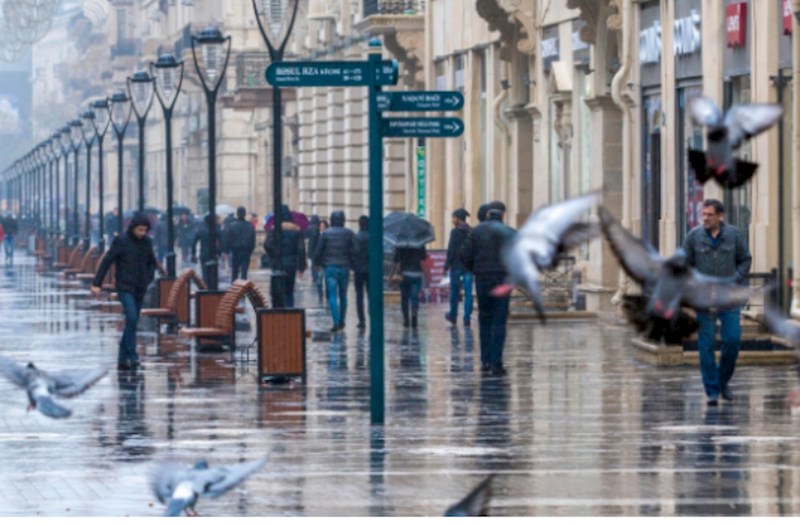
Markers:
point(667, 285)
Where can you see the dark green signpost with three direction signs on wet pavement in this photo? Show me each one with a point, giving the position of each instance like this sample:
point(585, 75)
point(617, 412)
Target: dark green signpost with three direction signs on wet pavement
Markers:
point(373, 74)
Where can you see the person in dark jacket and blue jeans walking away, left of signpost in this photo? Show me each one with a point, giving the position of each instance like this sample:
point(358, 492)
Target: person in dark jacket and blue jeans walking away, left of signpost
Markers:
point(334, 252)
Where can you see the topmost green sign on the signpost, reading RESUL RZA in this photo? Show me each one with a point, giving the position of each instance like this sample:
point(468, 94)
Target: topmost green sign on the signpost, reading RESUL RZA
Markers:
point(330, 74)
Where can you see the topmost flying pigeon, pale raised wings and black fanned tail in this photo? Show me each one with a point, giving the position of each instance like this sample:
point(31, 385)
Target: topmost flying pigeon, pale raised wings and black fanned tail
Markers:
point(725, 134)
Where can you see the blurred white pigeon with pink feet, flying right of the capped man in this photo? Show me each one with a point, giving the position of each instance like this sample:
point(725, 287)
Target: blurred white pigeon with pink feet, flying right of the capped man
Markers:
point(547, 234)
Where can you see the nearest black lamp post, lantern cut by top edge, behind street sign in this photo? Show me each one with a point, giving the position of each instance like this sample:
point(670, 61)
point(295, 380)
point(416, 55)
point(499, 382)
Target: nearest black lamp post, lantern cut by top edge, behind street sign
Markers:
point(271, 16)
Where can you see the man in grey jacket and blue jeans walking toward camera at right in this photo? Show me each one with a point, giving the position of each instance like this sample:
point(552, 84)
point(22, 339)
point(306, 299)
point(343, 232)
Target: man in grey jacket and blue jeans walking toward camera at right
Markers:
point(718, 249)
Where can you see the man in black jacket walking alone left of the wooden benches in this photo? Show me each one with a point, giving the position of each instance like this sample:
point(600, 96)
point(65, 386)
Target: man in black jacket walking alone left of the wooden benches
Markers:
point(135, 265)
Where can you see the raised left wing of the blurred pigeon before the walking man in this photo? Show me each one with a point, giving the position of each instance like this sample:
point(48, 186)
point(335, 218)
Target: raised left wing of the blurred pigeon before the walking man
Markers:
point(638, 258)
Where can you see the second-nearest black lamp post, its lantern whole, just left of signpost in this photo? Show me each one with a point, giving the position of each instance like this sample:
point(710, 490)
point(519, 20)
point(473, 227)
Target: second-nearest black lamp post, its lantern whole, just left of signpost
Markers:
point(211, 70)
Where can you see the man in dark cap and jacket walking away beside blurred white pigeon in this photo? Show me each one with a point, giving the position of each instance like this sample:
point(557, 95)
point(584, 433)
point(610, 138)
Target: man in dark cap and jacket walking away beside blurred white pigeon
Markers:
point(481, 254)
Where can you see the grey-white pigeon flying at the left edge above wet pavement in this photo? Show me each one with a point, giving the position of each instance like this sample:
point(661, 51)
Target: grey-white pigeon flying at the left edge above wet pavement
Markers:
point(42, 386)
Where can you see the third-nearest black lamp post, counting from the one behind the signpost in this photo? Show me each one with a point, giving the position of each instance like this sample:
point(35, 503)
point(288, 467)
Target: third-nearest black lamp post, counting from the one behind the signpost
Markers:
point(169, 77)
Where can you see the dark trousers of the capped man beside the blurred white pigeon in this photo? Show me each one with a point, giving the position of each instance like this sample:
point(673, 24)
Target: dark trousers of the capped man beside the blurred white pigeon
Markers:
point(492, 318)
